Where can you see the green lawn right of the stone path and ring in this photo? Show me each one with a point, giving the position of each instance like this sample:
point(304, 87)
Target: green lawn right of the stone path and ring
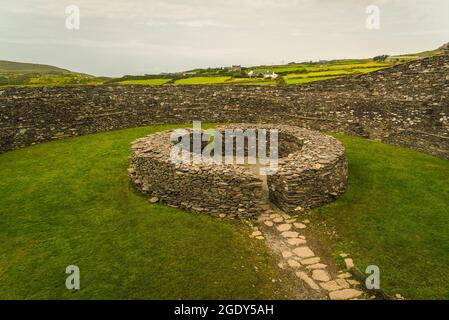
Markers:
point(396, 216)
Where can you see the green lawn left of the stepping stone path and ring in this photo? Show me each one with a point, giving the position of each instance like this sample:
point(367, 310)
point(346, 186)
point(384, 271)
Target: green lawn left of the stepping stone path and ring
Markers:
point(69, 202)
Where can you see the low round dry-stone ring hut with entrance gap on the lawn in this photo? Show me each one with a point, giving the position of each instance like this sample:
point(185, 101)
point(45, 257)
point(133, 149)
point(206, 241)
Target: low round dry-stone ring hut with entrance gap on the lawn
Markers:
point(311, 170)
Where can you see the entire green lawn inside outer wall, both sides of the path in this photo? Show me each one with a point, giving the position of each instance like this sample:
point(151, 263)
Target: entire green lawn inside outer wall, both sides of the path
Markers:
point(69, 202)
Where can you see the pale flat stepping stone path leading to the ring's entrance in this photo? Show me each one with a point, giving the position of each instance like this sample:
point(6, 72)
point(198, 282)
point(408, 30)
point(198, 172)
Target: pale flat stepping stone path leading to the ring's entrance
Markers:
point(299, 256)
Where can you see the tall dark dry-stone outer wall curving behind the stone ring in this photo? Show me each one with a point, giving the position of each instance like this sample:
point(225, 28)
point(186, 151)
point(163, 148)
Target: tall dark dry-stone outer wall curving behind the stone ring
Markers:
point(405, 105)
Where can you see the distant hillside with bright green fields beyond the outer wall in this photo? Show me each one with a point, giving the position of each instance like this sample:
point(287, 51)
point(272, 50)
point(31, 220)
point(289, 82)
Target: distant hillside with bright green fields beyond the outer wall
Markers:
point(29, 74)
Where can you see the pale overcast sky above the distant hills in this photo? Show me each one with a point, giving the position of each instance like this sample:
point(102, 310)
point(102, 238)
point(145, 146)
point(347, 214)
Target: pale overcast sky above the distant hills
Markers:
point(118, 37)
